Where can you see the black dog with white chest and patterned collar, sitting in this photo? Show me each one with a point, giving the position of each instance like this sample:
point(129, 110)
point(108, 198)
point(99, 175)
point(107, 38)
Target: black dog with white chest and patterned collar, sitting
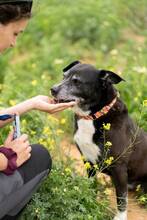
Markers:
point(98, 104)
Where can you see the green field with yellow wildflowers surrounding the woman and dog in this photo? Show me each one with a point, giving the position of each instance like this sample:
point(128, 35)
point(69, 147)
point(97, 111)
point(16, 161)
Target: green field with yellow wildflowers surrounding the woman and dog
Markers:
point(108, 34)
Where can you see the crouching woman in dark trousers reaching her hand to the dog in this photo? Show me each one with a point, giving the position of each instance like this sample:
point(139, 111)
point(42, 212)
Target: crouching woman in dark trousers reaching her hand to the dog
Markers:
point(22, 167)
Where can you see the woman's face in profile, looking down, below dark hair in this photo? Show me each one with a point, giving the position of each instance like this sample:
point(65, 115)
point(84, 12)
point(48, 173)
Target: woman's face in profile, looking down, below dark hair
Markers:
point(10, 32)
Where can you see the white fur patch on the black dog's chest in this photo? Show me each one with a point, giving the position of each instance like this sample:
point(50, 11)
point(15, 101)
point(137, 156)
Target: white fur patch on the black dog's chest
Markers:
point(84, 138)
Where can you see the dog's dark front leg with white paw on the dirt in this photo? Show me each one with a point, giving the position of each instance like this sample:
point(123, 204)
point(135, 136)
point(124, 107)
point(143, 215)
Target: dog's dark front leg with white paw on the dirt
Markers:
point(120, 178)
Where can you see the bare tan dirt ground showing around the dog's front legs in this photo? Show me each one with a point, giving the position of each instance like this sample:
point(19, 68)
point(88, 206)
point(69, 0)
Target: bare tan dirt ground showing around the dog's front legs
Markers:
point(135, 212)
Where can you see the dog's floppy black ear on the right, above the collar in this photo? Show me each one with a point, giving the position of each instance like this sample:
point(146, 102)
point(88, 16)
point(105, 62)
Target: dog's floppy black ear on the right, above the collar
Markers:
point(110, 76)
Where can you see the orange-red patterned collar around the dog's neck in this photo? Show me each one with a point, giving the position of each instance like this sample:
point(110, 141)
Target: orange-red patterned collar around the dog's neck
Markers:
point(102, 112)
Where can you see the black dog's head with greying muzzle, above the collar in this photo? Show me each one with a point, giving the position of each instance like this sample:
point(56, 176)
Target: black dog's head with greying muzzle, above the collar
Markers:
point(90, 88)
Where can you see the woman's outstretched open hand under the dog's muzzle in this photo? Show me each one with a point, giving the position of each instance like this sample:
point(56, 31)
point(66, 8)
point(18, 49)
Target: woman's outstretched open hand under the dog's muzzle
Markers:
point(44, 103)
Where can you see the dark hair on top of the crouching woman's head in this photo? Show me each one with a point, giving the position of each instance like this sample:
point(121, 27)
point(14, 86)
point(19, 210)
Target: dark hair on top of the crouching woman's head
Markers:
point(10, 12)
